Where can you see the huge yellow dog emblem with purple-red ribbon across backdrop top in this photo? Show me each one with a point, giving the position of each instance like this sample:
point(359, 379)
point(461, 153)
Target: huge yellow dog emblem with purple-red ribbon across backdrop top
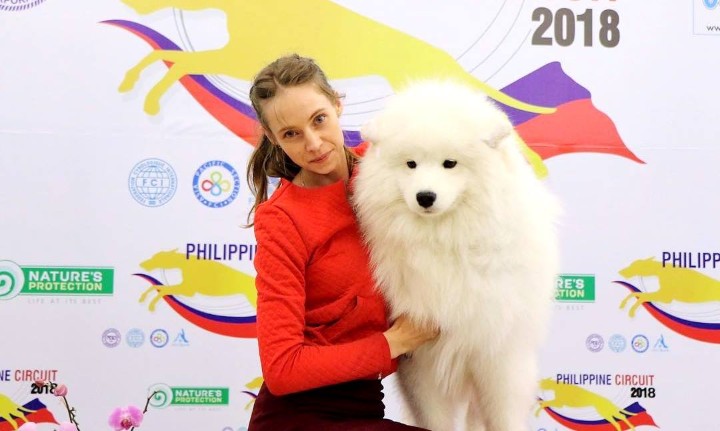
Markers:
point(552, 113)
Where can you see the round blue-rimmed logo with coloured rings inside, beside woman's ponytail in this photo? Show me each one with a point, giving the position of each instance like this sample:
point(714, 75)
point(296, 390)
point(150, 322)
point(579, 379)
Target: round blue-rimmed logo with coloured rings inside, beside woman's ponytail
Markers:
point(216, 184)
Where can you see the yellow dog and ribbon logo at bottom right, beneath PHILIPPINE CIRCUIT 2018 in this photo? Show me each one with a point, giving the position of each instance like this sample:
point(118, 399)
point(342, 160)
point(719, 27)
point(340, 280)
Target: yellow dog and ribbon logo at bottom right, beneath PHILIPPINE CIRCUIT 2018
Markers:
point(570, 398)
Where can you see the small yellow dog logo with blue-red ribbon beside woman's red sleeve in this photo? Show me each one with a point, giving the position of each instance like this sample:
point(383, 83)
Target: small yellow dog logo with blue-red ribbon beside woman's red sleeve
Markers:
point(206, 292)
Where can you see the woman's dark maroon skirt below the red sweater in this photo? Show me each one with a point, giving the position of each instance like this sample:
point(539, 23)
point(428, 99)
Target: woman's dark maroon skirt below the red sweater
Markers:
point(352, 406)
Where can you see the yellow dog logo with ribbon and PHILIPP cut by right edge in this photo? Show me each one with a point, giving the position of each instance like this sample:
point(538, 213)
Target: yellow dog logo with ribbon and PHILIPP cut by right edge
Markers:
point(676, 293)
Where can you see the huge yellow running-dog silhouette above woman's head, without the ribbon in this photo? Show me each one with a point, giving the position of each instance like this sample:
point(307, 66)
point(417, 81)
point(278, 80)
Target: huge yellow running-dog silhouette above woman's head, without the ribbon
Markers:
point(261, 30)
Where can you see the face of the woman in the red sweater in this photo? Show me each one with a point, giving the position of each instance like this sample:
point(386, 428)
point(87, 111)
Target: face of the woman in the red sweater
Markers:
point(305, 123)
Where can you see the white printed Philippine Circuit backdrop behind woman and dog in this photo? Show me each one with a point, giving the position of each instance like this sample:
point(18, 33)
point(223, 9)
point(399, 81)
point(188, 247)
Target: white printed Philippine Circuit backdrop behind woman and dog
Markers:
point(124, 135)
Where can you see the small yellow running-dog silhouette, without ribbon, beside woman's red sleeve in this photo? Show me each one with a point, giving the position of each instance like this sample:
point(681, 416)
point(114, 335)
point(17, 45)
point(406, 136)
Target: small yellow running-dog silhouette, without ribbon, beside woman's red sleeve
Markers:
point(206, 277)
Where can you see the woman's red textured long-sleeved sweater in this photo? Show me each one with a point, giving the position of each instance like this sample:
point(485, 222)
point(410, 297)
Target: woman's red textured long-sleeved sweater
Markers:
point(319, 317)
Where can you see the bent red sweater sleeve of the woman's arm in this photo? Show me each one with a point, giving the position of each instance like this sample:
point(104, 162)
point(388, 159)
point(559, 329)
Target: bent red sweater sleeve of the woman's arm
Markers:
point(288, 363)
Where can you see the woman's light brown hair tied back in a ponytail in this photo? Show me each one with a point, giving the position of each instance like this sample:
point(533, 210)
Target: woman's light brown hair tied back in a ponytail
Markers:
point(268, 159)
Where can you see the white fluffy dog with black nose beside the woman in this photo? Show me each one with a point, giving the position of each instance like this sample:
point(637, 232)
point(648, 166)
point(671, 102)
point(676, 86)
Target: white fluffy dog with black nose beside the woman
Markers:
point(462, 236)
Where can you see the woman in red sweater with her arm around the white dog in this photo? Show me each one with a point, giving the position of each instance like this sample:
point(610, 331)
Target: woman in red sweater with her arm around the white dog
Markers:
point(322, 331)
